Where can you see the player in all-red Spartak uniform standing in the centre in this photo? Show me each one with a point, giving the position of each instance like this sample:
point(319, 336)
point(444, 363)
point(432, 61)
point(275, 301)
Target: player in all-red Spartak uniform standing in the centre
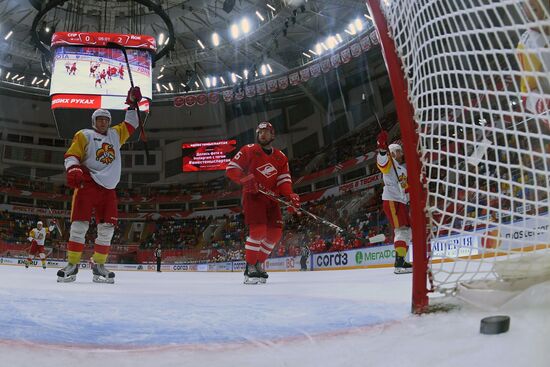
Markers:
point(260, 166)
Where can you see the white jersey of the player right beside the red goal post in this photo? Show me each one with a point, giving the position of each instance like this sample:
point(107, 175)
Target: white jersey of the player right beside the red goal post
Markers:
point(394, 185)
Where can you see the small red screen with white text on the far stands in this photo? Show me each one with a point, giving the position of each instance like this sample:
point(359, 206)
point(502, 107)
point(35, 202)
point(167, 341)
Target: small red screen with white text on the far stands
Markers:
point(207, 156)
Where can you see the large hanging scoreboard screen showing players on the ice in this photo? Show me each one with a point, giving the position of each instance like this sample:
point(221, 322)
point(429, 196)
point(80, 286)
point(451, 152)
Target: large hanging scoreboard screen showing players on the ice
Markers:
point(87, 74)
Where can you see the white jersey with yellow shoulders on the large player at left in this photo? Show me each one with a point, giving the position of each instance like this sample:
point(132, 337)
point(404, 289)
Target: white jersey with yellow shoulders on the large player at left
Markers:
point(100, 153)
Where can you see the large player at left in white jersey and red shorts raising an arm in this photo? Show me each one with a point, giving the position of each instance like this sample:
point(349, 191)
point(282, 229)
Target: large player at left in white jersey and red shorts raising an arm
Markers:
point(93, 164)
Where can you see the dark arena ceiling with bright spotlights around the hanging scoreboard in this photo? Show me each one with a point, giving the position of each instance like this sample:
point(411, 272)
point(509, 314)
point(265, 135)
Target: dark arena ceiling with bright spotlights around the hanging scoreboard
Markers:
point(288, 32)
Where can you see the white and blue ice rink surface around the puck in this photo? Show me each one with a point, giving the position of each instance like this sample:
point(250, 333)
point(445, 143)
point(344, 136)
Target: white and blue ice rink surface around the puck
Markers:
point(322, 318)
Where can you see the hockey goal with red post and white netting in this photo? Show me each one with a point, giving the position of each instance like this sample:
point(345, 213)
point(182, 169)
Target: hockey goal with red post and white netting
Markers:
point(471, 81)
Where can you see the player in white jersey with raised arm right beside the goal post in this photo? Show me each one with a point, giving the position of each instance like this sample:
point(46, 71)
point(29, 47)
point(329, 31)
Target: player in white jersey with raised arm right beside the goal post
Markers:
point(395, 198)
